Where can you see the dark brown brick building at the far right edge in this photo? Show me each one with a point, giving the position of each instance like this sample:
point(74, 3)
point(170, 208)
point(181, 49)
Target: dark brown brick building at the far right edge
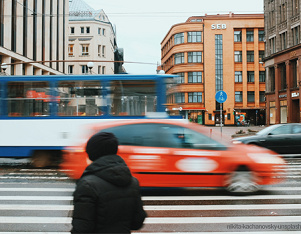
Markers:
point(282, 61)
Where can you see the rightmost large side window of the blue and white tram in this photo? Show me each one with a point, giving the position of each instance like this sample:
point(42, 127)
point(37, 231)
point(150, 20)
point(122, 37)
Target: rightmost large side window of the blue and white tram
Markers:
point(132, 97)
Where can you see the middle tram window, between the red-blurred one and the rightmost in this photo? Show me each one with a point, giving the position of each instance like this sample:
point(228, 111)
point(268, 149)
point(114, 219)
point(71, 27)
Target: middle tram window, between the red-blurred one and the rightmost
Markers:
point(80, 98)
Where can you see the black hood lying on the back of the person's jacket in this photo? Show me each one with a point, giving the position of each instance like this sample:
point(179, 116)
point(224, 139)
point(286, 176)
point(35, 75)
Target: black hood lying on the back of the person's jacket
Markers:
point(111, 168)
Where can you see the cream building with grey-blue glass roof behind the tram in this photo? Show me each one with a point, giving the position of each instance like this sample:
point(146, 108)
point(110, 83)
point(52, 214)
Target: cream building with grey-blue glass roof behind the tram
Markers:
point(91, 39)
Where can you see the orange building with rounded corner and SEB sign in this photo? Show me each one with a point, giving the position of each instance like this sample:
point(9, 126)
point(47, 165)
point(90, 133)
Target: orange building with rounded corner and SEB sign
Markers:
point(212, 53)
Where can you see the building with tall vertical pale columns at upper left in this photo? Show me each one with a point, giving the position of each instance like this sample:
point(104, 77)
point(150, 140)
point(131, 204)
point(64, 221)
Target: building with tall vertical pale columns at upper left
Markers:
point(33, 36)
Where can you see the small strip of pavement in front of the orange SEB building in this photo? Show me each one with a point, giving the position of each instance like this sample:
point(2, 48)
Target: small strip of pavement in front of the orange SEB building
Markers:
point(231, 130)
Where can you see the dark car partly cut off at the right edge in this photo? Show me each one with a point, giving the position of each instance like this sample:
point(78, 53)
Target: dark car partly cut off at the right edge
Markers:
point(281, 138)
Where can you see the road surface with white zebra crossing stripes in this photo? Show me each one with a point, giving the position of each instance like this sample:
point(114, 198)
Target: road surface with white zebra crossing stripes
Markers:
point(40, 201)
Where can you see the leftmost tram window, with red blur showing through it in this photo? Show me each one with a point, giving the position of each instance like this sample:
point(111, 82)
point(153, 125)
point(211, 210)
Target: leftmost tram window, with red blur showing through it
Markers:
point(28, 99)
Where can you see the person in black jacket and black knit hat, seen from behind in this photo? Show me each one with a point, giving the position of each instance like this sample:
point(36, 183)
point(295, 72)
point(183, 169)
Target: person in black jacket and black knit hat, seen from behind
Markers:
point(107, 197)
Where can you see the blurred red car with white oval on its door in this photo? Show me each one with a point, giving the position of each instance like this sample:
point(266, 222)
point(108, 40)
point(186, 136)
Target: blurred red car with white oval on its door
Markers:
point(176, 153)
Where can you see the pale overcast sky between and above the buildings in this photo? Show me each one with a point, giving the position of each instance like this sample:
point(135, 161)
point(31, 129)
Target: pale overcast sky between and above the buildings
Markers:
point(141, 25)
